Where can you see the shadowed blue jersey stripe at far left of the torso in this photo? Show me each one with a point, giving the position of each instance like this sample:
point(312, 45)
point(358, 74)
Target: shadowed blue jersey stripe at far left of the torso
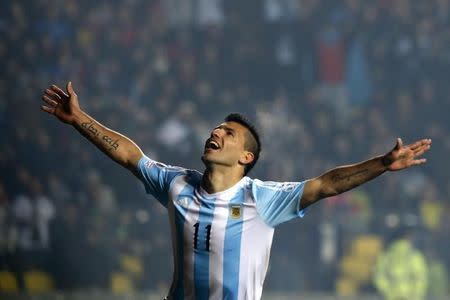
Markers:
point(179, 215)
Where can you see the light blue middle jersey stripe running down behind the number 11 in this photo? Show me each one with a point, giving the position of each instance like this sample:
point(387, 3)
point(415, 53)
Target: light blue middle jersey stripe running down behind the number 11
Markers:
point(201, 254)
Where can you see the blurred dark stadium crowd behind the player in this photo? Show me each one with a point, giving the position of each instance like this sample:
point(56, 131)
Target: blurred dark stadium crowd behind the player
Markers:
point(326, 82)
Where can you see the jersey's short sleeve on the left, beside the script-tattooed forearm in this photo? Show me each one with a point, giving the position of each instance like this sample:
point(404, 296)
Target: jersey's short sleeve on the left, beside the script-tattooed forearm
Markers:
point(157, 177)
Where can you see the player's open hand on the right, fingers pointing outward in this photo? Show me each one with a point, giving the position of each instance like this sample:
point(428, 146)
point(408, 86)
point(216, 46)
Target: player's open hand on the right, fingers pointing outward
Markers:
point(402, 157)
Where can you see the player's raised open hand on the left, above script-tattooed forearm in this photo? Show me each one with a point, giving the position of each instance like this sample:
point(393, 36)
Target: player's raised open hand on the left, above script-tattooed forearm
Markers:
point(61, 104)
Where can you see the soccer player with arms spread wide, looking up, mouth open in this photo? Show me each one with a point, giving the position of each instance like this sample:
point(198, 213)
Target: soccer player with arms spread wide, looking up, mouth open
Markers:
point(222, 221)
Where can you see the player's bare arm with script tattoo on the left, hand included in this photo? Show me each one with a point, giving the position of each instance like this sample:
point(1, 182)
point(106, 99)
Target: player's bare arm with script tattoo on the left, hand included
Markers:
point(64, 105)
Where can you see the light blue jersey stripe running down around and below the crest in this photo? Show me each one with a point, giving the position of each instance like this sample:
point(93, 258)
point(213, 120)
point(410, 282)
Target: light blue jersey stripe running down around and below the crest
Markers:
point(232, 250)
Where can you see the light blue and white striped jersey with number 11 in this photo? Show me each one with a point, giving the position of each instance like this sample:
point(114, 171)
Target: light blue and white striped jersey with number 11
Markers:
point(221, 242)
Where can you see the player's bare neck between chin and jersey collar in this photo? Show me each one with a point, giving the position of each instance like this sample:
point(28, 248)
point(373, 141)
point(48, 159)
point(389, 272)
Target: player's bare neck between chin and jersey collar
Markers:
point(217, 179)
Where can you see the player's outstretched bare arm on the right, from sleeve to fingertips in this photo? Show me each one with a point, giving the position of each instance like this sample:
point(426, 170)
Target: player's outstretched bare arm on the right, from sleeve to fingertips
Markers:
point(344, 178)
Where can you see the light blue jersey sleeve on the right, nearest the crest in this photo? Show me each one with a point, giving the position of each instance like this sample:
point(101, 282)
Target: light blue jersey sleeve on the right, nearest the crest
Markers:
point(278, 202)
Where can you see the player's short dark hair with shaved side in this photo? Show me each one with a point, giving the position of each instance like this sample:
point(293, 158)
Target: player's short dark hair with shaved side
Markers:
point(252, 141)
